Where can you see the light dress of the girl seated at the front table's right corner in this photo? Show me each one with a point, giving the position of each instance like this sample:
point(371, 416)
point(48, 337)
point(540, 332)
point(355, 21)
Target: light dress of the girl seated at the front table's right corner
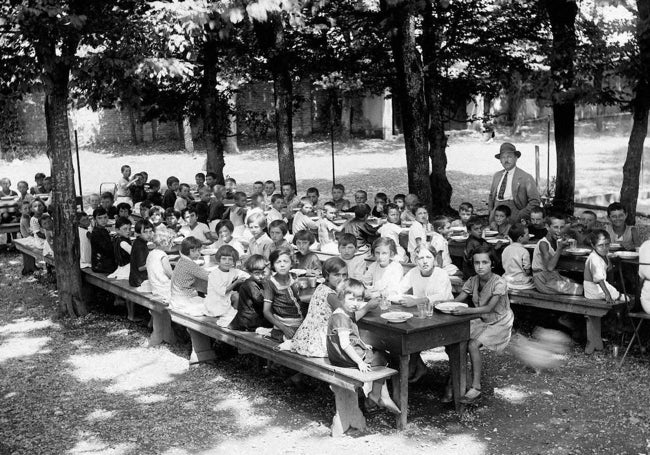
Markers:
point(493, 329)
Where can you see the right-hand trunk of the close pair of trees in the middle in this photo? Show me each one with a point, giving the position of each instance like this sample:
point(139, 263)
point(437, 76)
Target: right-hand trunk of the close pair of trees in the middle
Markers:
point(441, 189)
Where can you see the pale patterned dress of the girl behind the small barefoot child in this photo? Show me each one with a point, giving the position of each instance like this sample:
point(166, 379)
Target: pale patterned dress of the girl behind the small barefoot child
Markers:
point(311, 337)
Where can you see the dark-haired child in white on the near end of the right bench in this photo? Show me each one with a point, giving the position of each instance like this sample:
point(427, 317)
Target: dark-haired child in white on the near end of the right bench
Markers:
point(596, 267)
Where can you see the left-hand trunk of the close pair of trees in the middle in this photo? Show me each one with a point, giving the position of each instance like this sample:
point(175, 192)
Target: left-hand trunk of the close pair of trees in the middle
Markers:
point(409, 91)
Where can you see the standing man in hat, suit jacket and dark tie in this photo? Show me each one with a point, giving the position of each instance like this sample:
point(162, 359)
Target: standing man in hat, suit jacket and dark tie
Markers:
point(512, 186)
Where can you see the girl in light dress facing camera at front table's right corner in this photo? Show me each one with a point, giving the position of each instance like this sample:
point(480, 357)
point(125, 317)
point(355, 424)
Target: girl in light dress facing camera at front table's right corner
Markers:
point(489, 295)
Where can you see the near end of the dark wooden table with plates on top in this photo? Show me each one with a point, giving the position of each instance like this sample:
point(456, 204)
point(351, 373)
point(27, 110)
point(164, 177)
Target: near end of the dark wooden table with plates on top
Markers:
point(416, 335)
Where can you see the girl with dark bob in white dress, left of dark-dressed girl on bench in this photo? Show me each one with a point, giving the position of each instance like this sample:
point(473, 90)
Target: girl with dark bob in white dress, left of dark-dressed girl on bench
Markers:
point(221, 299)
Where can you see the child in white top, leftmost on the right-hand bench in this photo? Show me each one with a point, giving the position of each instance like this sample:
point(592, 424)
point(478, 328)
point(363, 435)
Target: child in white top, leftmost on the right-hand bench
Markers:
point(516, 260)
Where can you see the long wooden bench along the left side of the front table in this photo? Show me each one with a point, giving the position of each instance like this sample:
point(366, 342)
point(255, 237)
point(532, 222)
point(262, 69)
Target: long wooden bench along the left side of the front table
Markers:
point(344, 382)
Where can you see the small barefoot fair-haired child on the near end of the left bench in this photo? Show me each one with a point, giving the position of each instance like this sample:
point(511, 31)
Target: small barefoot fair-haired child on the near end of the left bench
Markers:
point(345, 348)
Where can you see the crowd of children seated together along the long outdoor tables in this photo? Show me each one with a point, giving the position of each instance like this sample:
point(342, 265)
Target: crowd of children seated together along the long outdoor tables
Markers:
point(270, 233)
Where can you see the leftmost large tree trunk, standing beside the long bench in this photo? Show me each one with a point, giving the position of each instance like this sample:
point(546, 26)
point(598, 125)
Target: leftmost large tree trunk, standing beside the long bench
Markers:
point(66, 236)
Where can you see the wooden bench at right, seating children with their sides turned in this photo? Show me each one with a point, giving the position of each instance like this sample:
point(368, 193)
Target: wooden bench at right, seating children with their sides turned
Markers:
point(593, 311)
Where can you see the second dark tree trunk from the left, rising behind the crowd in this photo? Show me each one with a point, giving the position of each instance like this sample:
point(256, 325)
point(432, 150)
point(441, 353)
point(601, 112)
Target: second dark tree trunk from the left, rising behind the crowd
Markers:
point(214, 116)
